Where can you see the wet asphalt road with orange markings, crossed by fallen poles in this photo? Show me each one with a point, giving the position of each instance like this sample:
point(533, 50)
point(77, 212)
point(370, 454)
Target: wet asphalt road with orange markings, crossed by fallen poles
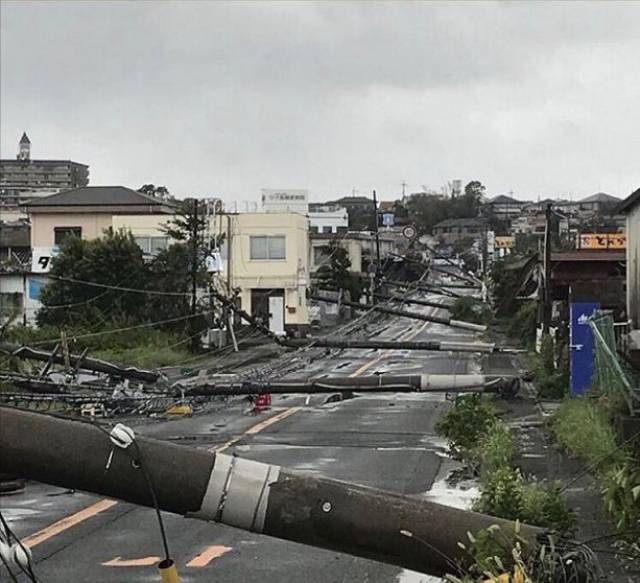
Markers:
point(383, 441)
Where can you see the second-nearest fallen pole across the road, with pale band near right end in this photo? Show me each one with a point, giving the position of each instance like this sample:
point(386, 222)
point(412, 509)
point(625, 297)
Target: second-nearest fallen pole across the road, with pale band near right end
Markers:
point(427, 383)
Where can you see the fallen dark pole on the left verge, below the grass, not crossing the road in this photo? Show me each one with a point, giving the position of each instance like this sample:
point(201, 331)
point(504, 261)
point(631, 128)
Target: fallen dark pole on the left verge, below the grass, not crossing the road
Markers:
point(80, 361)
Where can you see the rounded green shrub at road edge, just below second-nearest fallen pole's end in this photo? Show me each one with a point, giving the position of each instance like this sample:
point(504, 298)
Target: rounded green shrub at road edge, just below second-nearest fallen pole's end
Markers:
point(469, 418)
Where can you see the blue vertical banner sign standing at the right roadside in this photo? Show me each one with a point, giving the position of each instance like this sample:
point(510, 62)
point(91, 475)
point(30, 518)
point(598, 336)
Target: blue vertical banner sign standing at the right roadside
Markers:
point(582, 347)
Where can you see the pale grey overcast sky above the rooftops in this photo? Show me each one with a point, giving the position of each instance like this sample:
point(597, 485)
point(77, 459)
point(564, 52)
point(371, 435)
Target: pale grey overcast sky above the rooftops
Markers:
point(541, 99)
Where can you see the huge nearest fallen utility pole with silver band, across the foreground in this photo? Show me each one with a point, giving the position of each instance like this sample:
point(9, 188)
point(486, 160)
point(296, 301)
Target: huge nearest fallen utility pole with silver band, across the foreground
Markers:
point(407, 531)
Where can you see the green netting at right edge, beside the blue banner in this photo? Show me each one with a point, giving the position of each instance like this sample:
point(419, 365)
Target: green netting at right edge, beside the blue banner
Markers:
point(609, 375)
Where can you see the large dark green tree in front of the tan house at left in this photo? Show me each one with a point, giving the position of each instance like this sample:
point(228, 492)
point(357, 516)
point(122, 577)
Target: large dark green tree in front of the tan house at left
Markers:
point(113, 260)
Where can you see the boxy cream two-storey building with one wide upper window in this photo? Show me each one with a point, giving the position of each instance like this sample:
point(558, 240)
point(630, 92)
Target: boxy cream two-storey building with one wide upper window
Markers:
point(268, 264)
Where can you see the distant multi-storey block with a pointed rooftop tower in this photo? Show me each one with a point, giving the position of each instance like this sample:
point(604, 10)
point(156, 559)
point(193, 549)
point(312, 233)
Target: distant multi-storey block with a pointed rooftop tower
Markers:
point(24, 179)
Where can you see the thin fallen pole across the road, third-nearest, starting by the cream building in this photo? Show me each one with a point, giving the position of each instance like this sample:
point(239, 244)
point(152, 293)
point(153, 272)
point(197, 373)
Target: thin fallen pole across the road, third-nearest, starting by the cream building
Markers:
point(443, 346)
